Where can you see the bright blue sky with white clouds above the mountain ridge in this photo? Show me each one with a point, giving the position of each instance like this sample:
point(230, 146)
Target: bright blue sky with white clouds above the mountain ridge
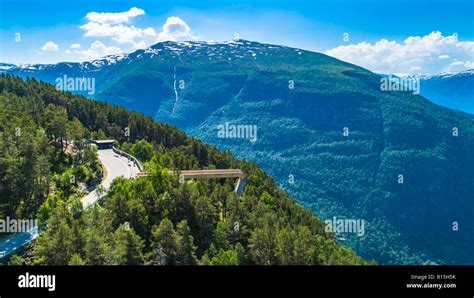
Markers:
point(400, 37)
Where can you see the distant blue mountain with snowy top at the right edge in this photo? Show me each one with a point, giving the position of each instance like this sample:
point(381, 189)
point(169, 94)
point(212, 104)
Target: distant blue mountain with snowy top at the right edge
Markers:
point(452, 90)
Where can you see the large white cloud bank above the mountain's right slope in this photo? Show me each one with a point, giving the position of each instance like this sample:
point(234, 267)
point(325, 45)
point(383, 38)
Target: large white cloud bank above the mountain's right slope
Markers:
point(432, 53)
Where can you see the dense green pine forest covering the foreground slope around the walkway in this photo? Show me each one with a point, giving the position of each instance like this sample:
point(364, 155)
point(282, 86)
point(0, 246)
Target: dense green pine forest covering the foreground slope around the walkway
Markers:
point(154, 220)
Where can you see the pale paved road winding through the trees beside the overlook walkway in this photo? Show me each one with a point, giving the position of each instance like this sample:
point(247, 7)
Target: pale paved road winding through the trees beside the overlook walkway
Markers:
point(115, 166)
